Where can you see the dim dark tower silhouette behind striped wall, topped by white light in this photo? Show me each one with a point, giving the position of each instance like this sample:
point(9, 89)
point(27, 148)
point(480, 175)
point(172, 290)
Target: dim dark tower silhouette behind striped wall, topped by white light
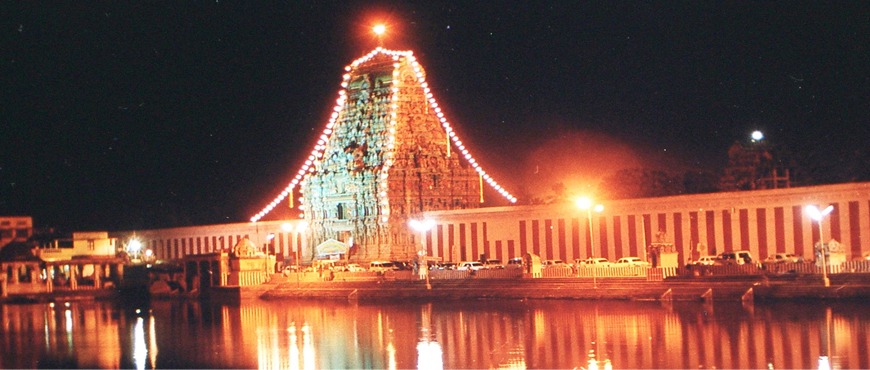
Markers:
point(754, 165)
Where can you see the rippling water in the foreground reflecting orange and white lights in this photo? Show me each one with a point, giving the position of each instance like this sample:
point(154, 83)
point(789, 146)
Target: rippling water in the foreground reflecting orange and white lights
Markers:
point(481, 334)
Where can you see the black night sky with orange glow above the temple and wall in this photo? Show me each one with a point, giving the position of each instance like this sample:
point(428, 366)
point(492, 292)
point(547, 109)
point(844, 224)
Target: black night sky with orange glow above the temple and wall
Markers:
point(136, 115)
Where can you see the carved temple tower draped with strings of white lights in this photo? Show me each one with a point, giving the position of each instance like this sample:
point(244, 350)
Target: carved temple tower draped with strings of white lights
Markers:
point(387, 155)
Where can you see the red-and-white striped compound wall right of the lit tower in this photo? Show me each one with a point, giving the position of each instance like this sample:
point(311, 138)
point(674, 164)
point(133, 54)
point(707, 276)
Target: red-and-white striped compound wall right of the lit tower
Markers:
point(763, 222)
